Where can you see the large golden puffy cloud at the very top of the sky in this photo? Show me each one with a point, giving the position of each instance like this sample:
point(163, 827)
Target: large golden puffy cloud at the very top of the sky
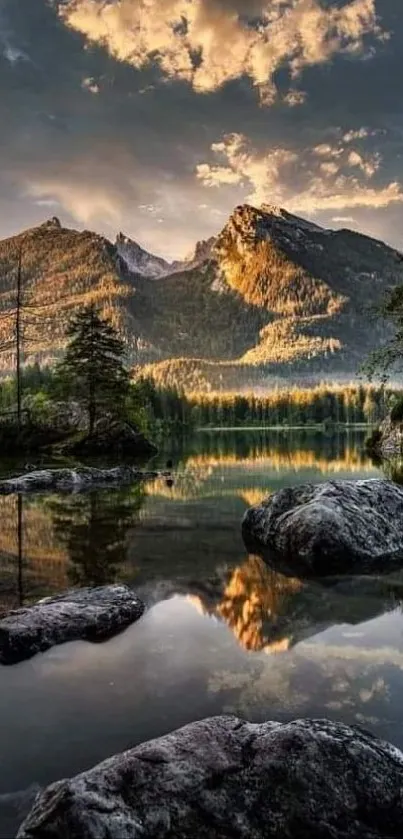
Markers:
point(210, 42)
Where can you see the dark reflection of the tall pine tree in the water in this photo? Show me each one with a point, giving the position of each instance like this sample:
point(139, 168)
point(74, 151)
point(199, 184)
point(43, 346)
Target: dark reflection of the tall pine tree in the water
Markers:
point(93, 528)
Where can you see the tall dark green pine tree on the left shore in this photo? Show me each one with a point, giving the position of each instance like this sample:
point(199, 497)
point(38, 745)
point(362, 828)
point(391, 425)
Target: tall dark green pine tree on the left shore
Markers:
point(93, 370)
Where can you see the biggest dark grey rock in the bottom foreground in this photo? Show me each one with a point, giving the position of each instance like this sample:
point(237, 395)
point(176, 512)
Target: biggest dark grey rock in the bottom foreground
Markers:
point(223, 778)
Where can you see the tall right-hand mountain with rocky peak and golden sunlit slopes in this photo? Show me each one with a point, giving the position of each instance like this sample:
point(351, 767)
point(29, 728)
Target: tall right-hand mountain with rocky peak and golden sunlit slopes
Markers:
point(304, 298)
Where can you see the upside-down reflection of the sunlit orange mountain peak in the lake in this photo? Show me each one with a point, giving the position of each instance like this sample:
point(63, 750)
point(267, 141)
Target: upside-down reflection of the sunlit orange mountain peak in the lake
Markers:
point(270, 612)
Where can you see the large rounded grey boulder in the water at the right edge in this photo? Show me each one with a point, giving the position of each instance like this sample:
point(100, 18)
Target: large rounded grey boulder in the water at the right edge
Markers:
point(328, 528)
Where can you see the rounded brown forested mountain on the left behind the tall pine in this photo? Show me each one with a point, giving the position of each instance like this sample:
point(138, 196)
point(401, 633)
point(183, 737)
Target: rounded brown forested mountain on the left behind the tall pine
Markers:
point(62, 269)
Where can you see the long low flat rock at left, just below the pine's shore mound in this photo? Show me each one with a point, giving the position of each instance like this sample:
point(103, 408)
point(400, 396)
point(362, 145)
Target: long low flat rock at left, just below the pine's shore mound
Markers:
point(73, 480)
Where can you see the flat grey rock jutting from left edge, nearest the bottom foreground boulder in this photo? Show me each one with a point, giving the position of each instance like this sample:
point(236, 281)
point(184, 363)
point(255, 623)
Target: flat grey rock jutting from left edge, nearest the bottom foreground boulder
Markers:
point(91, 614)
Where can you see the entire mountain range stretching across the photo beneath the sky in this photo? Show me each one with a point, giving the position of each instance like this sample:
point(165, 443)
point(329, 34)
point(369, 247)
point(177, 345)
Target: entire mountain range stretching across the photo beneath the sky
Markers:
point(272, 298)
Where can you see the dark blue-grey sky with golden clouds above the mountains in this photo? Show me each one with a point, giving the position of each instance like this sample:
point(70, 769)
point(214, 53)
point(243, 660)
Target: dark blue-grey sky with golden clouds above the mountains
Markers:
point(157, 117)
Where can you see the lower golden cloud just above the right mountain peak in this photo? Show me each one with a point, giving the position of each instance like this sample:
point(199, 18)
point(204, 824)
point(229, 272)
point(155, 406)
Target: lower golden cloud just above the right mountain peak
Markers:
point(307, 181)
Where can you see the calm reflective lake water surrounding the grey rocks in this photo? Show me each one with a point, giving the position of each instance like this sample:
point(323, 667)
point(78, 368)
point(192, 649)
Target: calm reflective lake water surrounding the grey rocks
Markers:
point(223, 633)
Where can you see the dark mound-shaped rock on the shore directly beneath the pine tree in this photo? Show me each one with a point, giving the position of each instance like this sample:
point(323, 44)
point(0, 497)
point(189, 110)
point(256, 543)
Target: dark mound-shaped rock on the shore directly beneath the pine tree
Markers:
point(112, 437)
